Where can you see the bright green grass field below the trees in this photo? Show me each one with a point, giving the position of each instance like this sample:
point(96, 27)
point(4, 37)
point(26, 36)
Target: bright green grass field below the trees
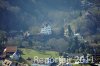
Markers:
point(31, 53)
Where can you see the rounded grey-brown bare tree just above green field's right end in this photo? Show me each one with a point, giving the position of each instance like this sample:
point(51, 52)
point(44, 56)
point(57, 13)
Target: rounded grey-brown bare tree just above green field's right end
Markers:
point(59, 45)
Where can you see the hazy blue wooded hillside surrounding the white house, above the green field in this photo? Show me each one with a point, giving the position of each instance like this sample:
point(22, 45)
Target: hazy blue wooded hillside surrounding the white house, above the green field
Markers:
point(80, 16)
